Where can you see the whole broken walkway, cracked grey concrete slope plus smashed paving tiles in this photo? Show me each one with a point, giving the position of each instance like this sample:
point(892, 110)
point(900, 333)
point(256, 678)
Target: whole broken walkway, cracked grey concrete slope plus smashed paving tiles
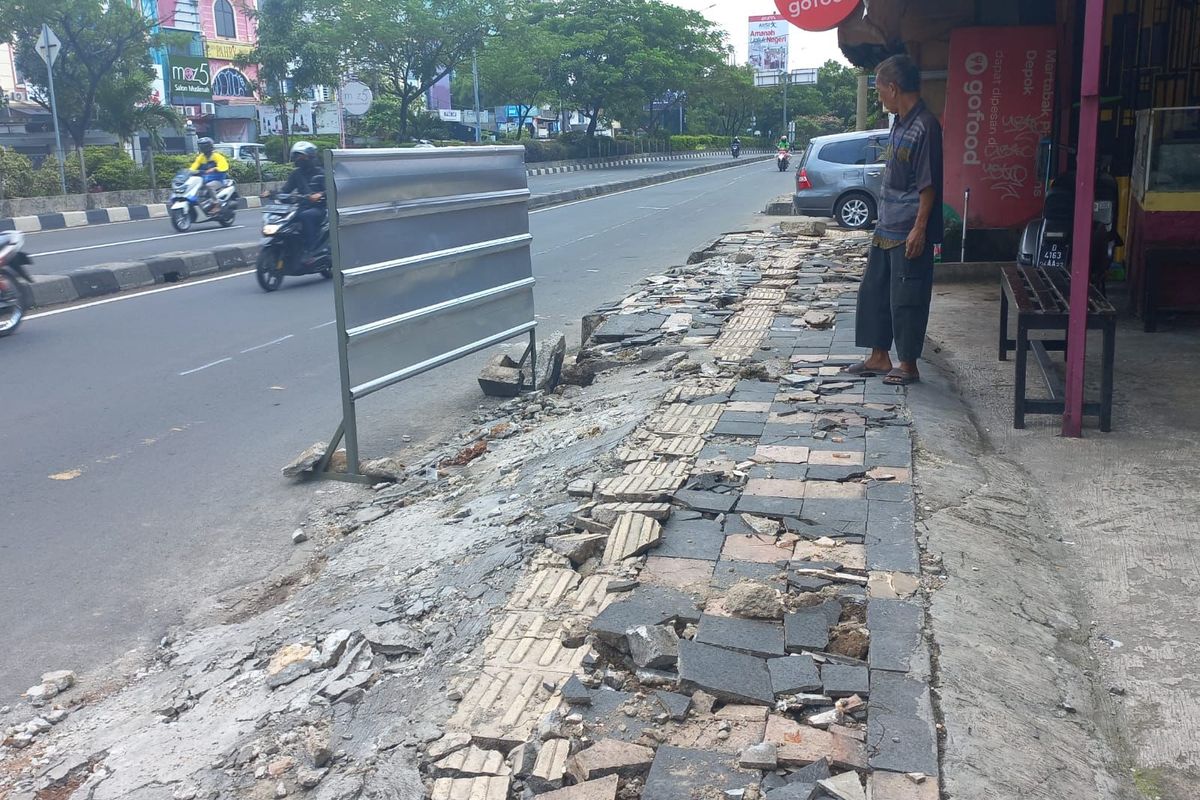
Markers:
point(695, 580)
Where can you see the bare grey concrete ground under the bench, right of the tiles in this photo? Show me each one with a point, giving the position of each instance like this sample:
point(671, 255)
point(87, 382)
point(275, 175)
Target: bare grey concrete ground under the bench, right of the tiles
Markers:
point(1067, 624)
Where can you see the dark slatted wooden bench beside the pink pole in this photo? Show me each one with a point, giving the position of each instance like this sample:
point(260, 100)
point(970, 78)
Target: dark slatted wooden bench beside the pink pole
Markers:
point(1041, 297)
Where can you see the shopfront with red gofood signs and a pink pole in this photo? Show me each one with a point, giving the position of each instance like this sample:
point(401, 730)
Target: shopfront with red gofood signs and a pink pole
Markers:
point(1033, 91)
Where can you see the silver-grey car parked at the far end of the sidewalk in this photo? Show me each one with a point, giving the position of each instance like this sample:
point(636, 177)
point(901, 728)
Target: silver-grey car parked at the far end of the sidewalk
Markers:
point(841, 178)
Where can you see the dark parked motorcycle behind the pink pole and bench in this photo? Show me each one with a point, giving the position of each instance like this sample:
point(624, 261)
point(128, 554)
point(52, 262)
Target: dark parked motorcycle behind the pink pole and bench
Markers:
point(1047, 242)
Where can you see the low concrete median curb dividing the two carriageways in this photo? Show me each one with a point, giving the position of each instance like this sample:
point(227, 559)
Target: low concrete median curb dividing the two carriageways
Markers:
point(184, 266)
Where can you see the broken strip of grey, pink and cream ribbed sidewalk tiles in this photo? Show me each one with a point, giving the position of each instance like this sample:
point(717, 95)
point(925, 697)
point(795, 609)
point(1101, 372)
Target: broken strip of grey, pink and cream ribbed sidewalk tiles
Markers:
point(703, 625)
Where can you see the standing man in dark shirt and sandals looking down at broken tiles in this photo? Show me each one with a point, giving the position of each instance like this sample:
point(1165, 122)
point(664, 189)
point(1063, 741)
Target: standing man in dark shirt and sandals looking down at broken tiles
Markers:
point(898, 285)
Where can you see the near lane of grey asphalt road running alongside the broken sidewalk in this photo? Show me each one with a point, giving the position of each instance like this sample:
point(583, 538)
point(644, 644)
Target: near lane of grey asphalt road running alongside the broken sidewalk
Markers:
point(143, 436)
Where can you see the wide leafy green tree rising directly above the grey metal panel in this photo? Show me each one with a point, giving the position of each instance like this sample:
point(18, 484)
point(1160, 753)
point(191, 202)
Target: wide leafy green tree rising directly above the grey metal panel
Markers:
point(405, 47)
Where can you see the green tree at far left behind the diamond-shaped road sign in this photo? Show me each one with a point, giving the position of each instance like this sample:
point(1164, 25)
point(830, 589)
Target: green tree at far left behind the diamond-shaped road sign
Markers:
point(105, 46)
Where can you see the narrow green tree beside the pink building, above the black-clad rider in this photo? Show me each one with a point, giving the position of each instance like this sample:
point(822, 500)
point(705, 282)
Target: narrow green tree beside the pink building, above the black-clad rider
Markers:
point(299, 47)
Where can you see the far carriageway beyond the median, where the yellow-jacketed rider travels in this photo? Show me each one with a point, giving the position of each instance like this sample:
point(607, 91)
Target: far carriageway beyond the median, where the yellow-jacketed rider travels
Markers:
point(57, 252)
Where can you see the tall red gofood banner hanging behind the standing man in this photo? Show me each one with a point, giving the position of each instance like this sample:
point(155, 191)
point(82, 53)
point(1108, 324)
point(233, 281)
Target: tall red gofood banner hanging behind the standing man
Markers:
point(999, 106)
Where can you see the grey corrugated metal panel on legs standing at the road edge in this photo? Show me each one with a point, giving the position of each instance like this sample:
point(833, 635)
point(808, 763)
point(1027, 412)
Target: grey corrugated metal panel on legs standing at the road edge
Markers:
point(431, 264)
